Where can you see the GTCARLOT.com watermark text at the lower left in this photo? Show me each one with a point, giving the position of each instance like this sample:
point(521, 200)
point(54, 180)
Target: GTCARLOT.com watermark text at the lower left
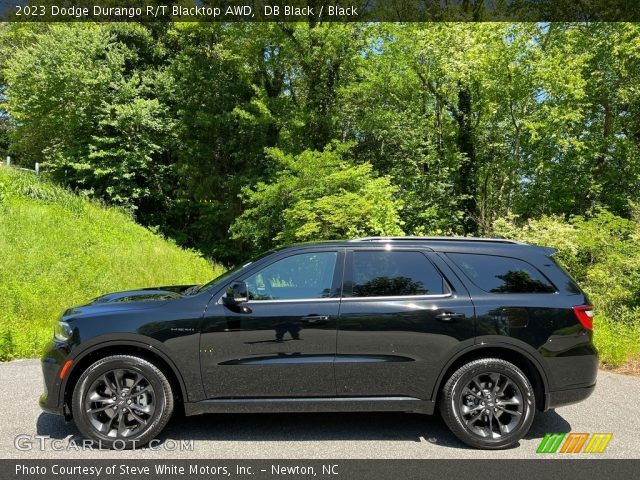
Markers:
point(26, 443)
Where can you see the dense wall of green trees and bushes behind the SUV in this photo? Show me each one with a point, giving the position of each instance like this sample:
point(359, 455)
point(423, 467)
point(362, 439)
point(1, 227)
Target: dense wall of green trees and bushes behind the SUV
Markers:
point(233, 138)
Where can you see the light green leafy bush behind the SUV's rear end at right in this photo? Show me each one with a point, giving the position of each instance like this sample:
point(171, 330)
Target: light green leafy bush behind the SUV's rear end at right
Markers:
point(602, 252)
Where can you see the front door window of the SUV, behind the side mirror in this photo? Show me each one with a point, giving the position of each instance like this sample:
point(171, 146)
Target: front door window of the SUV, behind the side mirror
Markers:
point(307, 275)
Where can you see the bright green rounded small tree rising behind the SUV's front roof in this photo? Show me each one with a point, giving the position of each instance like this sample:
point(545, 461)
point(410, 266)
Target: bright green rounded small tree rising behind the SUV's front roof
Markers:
point(317, 195)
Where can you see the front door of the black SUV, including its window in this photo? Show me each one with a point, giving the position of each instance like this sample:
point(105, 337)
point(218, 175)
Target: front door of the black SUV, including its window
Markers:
point(282, 342)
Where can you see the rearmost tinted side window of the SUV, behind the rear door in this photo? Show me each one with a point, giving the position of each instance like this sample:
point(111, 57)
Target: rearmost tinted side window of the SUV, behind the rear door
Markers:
point(502, 274)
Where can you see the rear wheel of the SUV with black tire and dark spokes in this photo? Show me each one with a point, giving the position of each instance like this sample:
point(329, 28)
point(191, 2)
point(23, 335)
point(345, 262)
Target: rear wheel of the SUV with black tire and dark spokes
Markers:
point(483, 385)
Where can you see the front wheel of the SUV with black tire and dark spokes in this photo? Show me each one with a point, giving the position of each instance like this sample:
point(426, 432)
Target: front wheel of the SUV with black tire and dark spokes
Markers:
point(122, 402)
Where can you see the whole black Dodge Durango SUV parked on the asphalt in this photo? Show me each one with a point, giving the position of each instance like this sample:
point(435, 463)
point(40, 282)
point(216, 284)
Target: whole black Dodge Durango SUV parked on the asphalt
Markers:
point(486, 330)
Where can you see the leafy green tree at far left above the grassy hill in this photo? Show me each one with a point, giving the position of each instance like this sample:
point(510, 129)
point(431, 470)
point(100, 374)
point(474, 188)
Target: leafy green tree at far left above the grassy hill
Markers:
point(81, 99)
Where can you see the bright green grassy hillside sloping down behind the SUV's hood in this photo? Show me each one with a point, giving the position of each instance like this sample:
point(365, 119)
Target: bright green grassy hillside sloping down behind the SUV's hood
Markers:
point(59, 250)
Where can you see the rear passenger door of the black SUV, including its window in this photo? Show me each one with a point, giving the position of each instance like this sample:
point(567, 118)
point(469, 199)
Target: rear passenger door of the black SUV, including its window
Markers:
point(403, 313)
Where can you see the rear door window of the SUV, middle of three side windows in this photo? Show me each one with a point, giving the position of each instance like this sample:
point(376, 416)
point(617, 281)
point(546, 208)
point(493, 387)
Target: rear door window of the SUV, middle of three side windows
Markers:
point(381, 274)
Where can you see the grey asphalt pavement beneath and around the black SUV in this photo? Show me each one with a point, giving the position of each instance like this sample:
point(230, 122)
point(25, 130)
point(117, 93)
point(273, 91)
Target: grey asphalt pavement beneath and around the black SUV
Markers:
point(612, 408)
